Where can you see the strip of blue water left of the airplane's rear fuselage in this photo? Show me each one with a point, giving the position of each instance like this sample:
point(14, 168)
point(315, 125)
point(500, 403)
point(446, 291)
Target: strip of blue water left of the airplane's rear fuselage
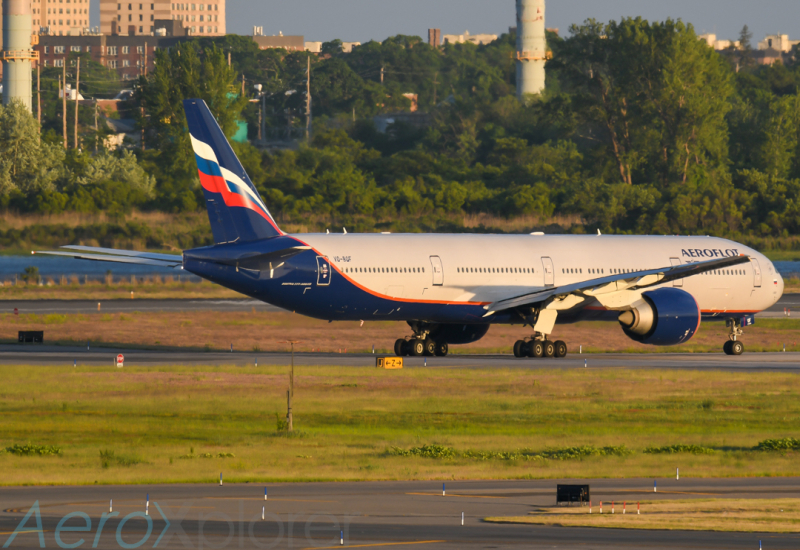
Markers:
point(56, 266)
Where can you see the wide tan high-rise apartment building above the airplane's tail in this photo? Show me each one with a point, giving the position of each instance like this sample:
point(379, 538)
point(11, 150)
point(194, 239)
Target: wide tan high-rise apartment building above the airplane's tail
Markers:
point(200, 19)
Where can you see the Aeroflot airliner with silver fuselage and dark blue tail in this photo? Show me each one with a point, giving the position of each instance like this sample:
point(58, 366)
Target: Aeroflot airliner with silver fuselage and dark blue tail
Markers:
point(450, 288)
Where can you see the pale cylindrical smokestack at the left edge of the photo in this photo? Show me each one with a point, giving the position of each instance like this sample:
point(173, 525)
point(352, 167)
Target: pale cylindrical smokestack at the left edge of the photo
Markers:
point(17, 51)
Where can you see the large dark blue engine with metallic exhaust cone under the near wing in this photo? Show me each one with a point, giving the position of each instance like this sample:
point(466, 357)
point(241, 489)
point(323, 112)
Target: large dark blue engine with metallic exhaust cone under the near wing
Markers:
point(663, 317)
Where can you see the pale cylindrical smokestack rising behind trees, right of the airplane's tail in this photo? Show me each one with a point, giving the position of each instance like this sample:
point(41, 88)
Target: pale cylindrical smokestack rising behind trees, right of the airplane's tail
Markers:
point(531, 47)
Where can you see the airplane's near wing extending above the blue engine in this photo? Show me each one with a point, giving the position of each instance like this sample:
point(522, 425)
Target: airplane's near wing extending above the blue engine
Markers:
point(612, 283)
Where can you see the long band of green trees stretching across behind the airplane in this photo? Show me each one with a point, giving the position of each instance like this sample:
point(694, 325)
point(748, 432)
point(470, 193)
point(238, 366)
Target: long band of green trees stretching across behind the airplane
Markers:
point(642, 129)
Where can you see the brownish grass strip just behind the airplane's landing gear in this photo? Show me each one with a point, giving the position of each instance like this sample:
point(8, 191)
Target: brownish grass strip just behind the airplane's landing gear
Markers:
point(268, 331)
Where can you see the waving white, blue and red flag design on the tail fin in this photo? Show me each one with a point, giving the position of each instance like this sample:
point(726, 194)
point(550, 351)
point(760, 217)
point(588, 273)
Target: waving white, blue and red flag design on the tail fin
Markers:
point(217, 179)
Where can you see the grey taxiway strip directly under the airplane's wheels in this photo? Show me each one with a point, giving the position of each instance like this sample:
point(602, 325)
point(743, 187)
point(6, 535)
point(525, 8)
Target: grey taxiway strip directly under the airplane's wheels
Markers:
point(30, 354)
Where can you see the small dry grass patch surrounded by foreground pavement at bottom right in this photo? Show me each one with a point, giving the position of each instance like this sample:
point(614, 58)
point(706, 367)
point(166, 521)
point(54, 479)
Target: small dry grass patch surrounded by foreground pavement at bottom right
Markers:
point(737, 515)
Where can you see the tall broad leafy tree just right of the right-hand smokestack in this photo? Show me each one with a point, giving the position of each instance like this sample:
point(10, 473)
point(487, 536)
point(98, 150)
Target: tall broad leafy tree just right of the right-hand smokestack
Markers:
point(653, 94)
